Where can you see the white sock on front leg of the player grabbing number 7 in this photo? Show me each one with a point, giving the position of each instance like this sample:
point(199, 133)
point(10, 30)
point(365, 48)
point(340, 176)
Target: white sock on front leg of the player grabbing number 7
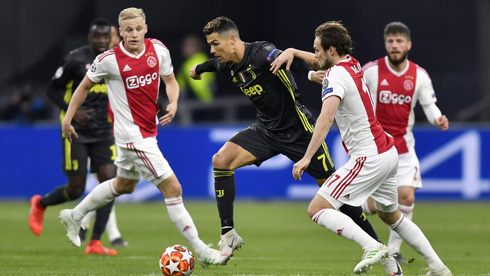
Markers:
point(344, 226)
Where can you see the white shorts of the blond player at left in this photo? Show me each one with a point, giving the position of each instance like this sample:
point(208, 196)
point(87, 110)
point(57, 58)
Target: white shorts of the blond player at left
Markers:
point(142, 159)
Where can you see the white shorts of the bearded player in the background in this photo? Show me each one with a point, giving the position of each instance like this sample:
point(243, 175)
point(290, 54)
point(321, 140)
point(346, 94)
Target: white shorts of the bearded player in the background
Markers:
point(409, 170)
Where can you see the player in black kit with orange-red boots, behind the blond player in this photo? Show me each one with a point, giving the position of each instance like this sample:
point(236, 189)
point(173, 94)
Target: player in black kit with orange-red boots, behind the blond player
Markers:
point(95, 135)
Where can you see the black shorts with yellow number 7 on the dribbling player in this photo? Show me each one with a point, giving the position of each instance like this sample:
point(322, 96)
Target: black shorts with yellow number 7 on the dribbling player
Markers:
point(264, 147)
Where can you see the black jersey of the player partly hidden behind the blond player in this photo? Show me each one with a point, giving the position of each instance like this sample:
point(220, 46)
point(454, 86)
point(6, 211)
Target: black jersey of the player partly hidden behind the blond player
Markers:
point(63, 85)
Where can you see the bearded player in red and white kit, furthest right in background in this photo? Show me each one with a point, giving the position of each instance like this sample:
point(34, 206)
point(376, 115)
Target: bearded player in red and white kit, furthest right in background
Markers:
point(396, 85)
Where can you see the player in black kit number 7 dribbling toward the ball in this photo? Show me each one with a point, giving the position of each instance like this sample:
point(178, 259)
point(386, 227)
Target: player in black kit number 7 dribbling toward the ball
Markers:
point(283, 126)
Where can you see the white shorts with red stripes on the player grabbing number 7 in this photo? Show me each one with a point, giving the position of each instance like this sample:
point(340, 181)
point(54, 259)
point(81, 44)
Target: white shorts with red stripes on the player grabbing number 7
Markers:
point(363, 177)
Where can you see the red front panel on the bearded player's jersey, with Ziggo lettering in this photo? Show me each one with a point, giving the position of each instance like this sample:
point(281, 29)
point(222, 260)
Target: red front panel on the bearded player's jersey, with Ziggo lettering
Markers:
point(394, 101)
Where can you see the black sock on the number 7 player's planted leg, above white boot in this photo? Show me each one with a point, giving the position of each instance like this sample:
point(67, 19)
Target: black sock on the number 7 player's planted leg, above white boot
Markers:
point(224, 184)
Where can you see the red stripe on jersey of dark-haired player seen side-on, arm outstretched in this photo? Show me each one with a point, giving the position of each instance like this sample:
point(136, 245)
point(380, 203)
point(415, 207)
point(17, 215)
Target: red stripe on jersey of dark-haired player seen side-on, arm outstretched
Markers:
point(383, 141)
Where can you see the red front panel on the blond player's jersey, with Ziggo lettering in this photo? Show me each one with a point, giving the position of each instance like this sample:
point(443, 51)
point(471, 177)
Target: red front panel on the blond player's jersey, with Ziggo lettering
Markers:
point(141, 81)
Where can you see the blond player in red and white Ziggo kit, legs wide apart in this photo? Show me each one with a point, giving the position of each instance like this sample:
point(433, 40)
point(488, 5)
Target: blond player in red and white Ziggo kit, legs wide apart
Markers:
point(132, 72)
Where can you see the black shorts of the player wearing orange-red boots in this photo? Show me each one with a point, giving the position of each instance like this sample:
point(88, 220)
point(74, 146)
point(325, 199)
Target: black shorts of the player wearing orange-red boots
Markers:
point(76, 154)
